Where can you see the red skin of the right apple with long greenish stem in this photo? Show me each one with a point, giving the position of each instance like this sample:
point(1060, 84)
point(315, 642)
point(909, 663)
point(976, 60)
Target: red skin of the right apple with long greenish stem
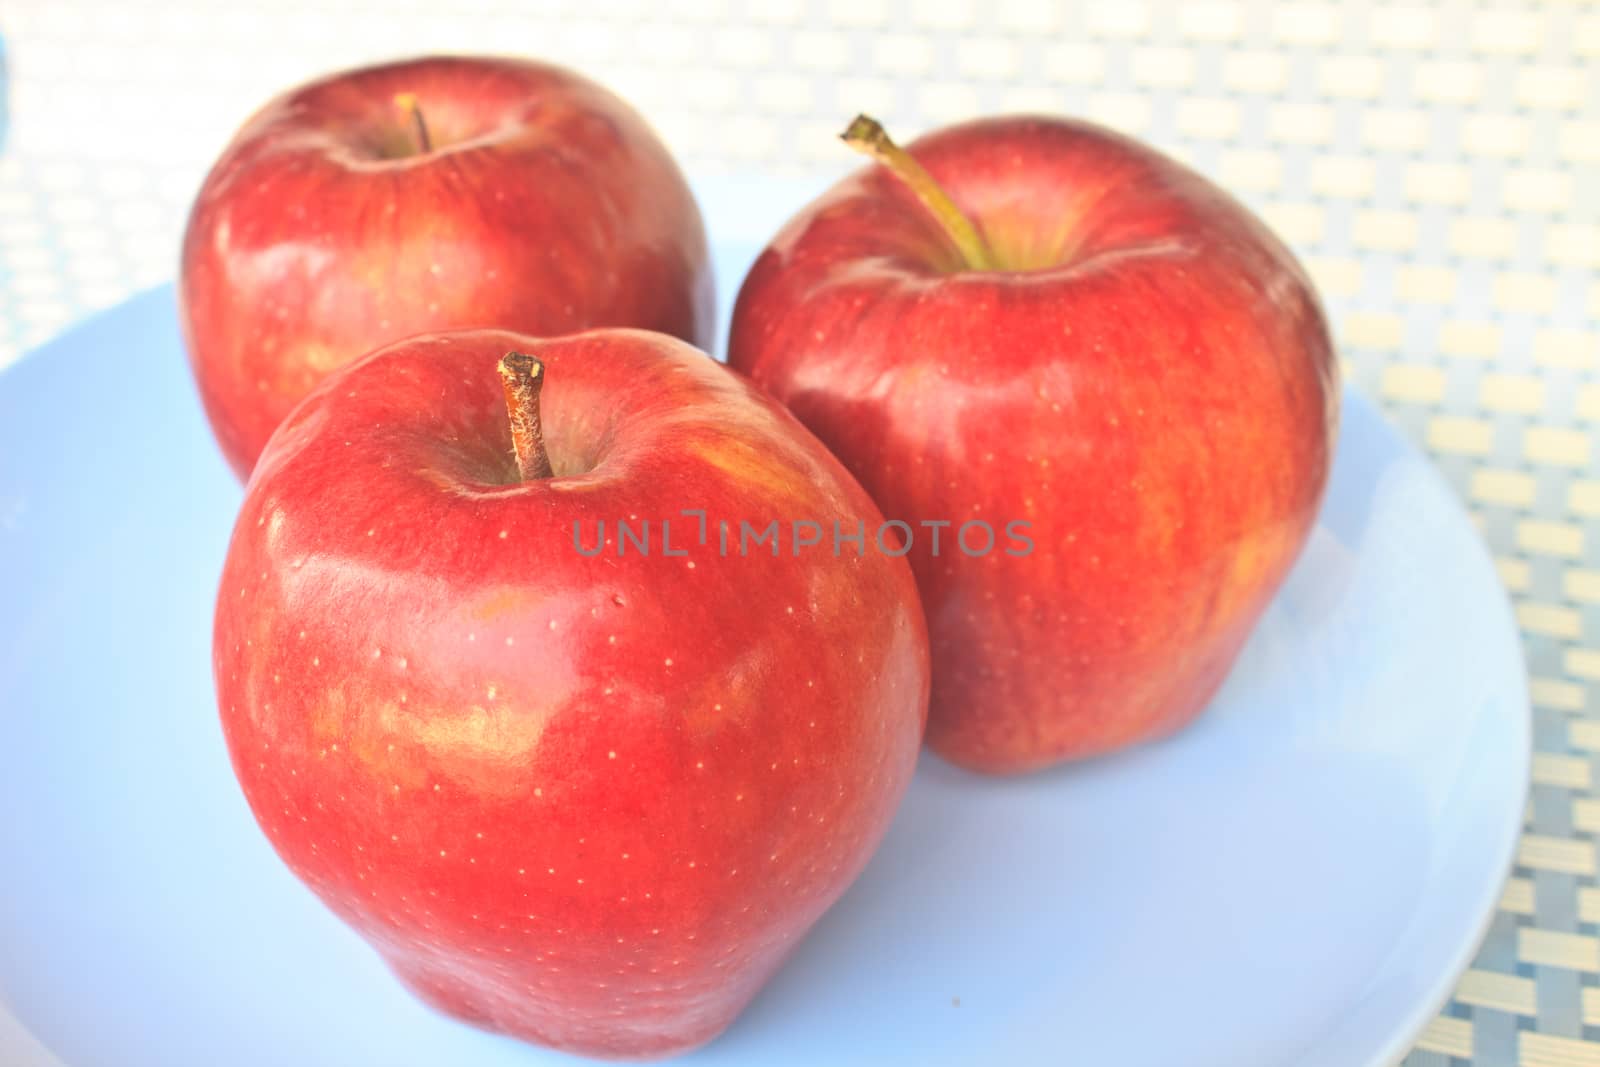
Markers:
point(1148, 382)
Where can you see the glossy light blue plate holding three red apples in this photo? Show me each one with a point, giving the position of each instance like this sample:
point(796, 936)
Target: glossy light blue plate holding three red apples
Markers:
point(1295, 881)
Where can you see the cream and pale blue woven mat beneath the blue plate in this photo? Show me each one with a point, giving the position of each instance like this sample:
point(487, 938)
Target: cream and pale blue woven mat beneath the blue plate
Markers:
point(1434, 166)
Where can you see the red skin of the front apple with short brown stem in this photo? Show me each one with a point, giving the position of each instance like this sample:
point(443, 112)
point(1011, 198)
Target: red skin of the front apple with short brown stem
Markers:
point(586, 802)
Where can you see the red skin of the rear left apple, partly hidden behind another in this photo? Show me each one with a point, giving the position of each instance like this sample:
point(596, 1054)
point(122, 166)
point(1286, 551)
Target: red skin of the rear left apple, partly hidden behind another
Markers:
point(322, 233)
